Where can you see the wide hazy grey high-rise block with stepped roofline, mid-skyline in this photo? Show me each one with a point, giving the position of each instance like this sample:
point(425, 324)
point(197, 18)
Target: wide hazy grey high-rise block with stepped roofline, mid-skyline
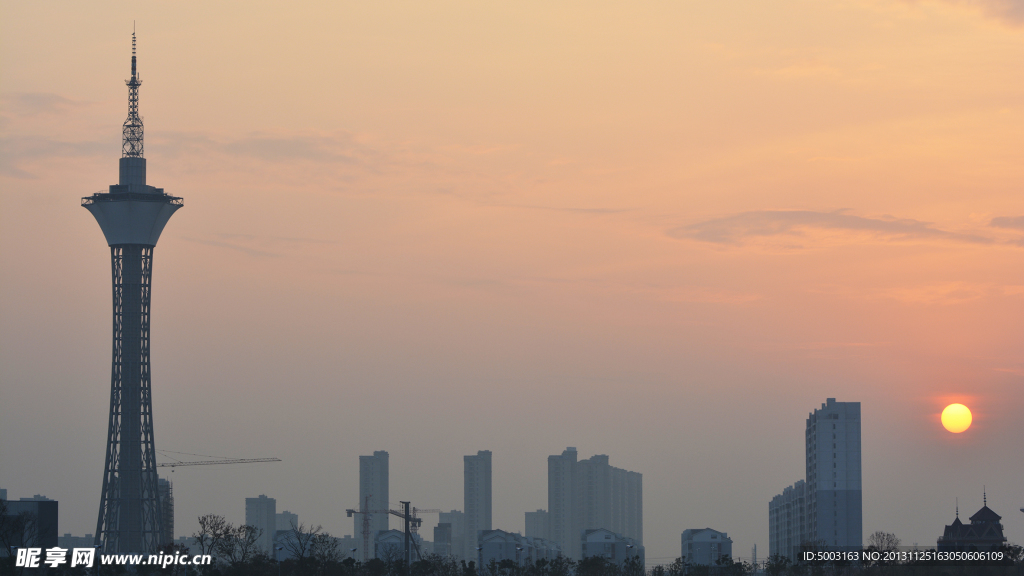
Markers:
point(591, 495)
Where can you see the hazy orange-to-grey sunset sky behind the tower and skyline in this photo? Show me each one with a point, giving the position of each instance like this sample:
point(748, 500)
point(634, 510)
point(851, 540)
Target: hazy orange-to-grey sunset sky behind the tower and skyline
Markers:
point(660, 231)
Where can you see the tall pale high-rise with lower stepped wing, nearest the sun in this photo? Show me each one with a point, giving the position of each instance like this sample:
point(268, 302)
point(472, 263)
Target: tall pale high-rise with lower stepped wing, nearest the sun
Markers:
point(826, 509)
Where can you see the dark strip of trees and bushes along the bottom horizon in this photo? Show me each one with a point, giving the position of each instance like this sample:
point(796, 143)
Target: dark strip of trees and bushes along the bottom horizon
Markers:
point(316, 553)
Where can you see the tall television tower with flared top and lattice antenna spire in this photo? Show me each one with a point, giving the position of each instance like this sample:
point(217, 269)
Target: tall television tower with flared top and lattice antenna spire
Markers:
point(133, 215)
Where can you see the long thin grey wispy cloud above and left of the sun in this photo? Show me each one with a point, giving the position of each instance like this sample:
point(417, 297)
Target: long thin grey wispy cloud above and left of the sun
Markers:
point(801, 226)
